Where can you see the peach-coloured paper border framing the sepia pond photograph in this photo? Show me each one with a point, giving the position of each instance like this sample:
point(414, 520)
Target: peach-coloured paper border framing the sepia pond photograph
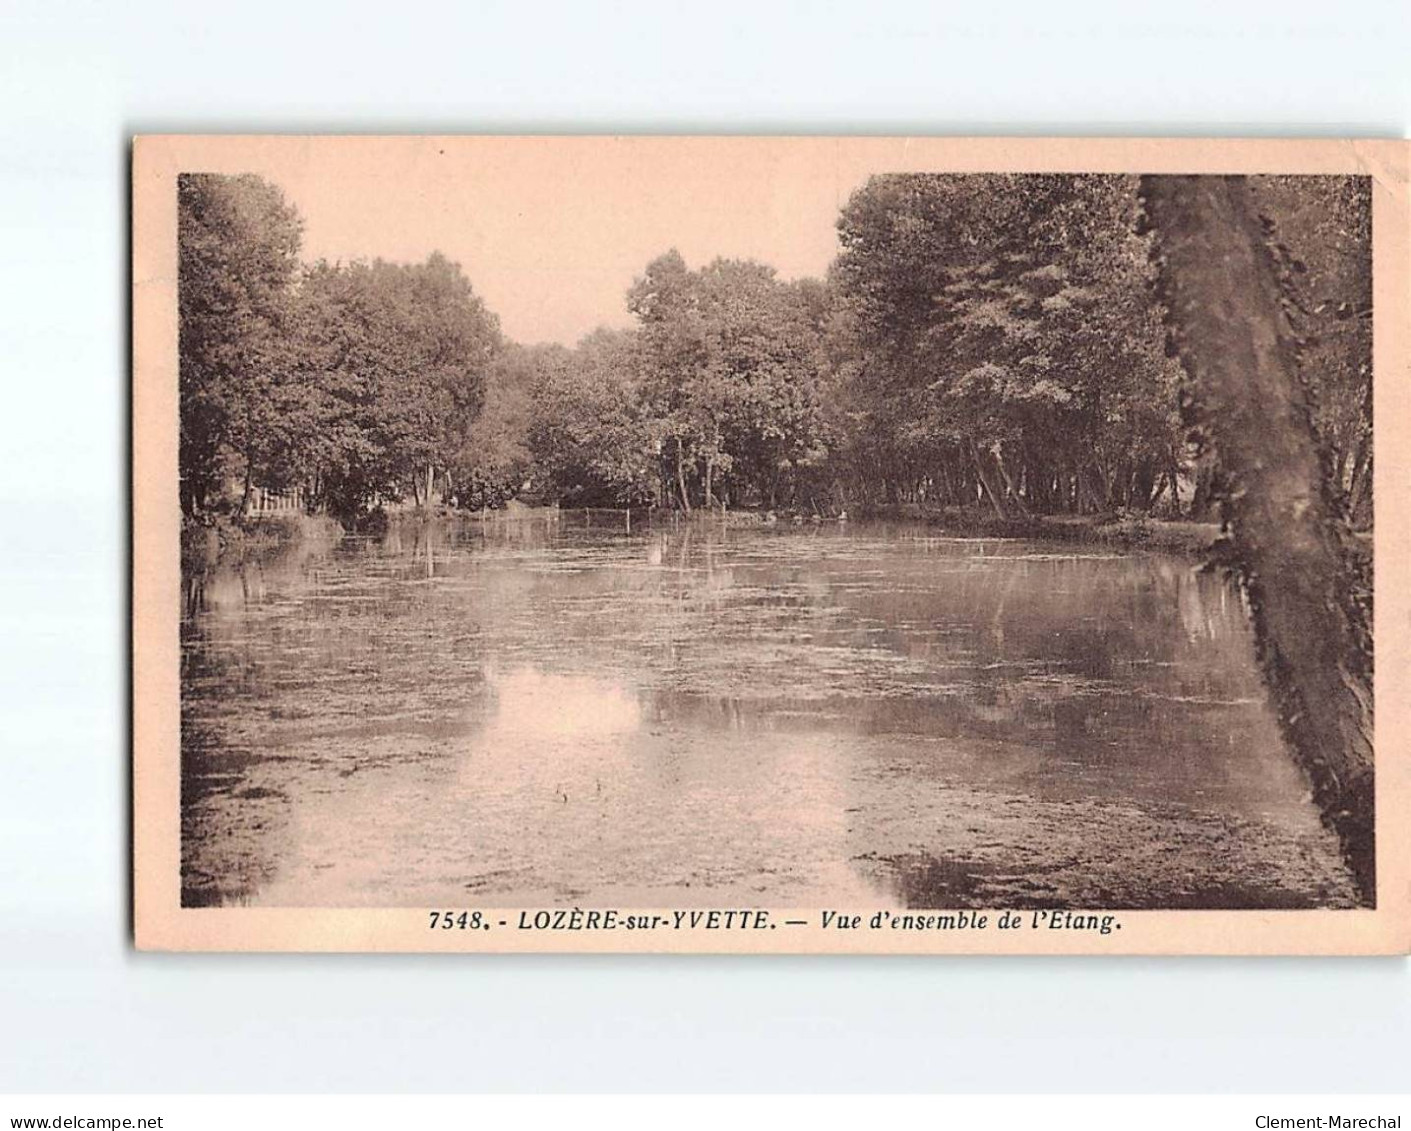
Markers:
point(160, 922)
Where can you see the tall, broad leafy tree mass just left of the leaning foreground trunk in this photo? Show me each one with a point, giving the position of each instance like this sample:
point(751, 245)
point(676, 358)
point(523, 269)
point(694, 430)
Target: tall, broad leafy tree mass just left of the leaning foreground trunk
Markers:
point(1010, 342)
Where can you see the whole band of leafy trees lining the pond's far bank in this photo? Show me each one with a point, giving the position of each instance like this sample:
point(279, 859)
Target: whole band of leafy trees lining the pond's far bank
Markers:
point(981, 341)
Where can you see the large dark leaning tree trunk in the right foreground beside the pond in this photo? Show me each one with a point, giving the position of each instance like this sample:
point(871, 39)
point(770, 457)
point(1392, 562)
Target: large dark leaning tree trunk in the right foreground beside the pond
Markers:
point(1290, 541)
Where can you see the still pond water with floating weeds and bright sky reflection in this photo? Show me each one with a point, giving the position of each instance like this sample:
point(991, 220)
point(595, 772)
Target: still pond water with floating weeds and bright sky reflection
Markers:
point(534, 714)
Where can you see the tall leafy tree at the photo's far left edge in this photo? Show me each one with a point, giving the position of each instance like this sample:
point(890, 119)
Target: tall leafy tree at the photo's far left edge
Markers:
point(238, 256)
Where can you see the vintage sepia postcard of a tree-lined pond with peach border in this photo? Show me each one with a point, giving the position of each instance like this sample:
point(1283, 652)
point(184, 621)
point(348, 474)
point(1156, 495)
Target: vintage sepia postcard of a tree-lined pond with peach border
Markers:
point(771, 545)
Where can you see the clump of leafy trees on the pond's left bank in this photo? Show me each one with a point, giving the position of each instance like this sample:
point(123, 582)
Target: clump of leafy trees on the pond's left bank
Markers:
point(356, 383)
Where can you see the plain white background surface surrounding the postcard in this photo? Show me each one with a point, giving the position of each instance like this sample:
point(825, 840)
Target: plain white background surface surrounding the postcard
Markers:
point(80, 1010)
